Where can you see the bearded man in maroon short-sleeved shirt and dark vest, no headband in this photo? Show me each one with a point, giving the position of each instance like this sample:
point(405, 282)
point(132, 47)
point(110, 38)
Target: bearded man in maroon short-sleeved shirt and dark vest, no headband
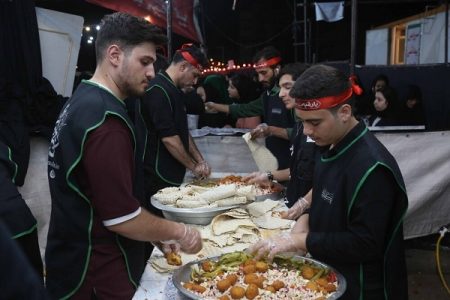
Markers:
point(97, 226)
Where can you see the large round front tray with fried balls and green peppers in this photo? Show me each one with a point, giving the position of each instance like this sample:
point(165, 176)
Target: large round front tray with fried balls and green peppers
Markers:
point(238, 276)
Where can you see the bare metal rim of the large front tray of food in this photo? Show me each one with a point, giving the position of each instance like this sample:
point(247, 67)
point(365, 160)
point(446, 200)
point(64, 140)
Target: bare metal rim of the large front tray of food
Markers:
point(183, 274)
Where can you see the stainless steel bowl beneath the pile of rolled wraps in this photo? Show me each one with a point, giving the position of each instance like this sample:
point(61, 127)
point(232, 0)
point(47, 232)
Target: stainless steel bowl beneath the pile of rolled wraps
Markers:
point(199, 216)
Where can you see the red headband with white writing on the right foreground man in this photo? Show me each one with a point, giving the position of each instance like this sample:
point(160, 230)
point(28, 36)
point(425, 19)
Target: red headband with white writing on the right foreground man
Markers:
point(329, 101)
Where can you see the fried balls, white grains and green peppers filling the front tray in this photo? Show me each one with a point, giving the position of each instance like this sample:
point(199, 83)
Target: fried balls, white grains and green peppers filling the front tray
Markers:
point(275, 282)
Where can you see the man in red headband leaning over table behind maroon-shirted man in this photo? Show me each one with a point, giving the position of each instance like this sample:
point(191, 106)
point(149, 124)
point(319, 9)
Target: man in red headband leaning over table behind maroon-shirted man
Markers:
point(170, 148)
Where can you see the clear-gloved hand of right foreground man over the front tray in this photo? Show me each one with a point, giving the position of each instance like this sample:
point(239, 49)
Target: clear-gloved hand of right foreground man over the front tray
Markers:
point(284, 242)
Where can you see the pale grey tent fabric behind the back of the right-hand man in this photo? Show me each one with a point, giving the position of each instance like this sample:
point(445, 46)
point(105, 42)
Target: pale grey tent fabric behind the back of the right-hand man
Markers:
point(424, 160)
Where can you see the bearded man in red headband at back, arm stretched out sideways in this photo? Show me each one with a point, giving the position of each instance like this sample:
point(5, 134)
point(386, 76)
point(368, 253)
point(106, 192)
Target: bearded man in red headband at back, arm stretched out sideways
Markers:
point(275, 115)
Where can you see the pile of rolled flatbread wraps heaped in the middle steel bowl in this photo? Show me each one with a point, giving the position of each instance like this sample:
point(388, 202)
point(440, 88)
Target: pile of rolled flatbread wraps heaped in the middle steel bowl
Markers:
point(191, 196)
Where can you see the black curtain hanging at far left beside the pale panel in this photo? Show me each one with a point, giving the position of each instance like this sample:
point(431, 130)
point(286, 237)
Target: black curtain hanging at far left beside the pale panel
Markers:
point(28, 102)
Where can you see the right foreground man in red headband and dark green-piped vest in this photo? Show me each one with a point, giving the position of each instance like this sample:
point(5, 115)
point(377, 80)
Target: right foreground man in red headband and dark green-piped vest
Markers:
point(359, 197)
